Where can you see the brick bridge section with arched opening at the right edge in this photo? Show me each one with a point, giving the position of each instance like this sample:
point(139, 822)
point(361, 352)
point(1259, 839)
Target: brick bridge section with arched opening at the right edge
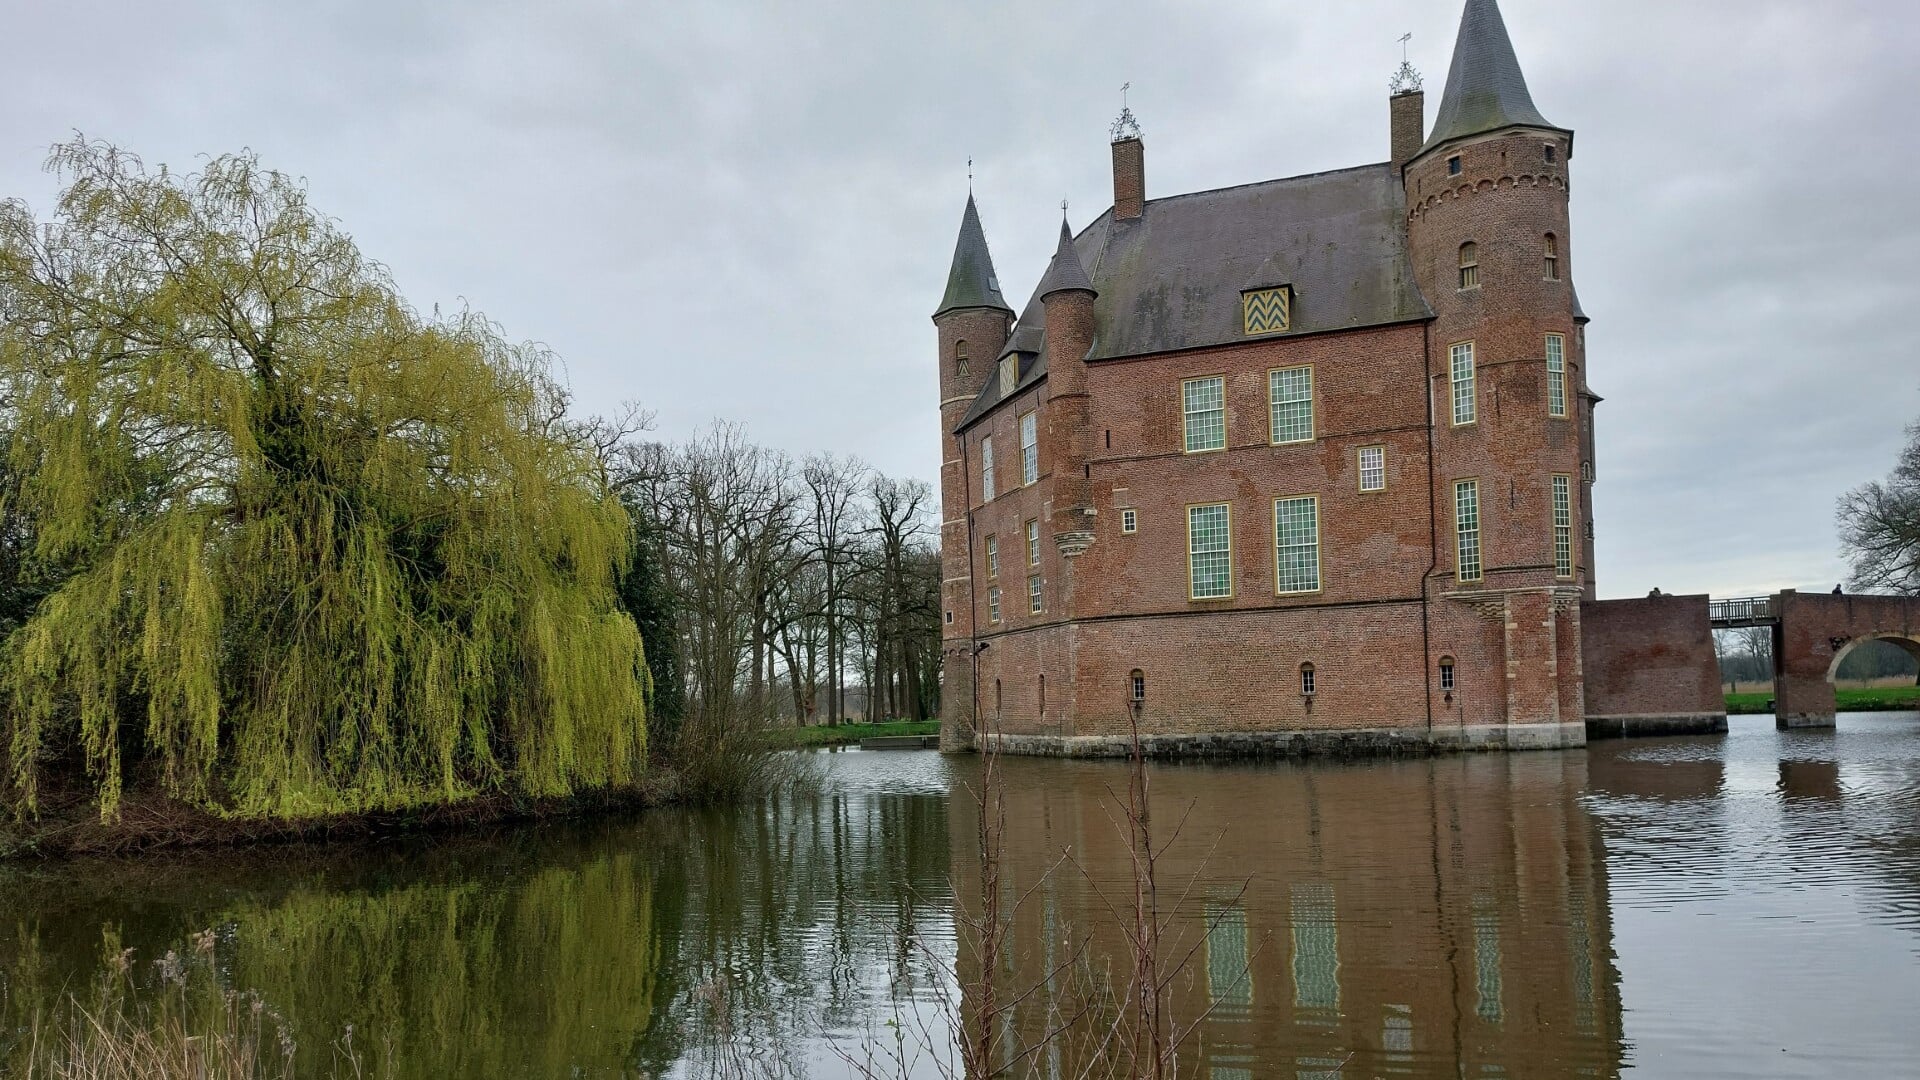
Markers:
point(1813, 633)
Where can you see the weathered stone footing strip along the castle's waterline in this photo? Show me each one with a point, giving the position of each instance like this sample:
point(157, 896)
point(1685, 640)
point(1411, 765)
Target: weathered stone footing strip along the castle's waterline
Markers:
point(1343, 743)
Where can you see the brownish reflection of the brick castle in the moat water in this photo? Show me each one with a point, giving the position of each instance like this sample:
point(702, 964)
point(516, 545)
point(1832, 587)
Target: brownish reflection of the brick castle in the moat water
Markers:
point(1439, 918)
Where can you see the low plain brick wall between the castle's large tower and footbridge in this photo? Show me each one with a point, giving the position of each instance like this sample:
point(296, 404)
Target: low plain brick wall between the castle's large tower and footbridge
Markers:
point(1650, 658)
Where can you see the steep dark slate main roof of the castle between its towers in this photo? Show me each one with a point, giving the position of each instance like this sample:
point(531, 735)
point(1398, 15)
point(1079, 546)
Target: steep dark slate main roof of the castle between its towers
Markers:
point(1174, 278)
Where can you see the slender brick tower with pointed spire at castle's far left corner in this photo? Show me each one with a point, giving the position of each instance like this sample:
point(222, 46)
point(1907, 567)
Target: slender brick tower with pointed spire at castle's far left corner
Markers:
point(972, 324)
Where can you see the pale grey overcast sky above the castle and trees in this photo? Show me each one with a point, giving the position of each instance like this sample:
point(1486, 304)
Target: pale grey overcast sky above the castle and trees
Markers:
point(748, 210)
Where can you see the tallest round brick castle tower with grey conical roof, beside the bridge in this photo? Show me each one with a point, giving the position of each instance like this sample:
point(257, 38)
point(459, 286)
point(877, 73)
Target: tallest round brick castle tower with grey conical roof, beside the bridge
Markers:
point(1487, 228)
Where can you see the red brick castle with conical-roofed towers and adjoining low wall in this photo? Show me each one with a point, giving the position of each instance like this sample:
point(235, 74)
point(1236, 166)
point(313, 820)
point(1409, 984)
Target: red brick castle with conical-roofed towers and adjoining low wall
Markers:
point(1303, 464)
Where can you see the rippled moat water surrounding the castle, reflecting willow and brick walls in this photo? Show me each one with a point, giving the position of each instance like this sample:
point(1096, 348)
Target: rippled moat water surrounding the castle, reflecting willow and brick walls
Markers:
point(1717, 906)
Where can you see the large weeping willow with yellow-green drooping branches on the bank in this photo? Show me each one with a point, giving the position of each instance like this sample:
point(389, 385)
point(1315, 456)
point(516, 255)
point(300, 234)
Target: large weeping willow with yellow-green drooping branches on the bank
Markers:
point(320, 554)
